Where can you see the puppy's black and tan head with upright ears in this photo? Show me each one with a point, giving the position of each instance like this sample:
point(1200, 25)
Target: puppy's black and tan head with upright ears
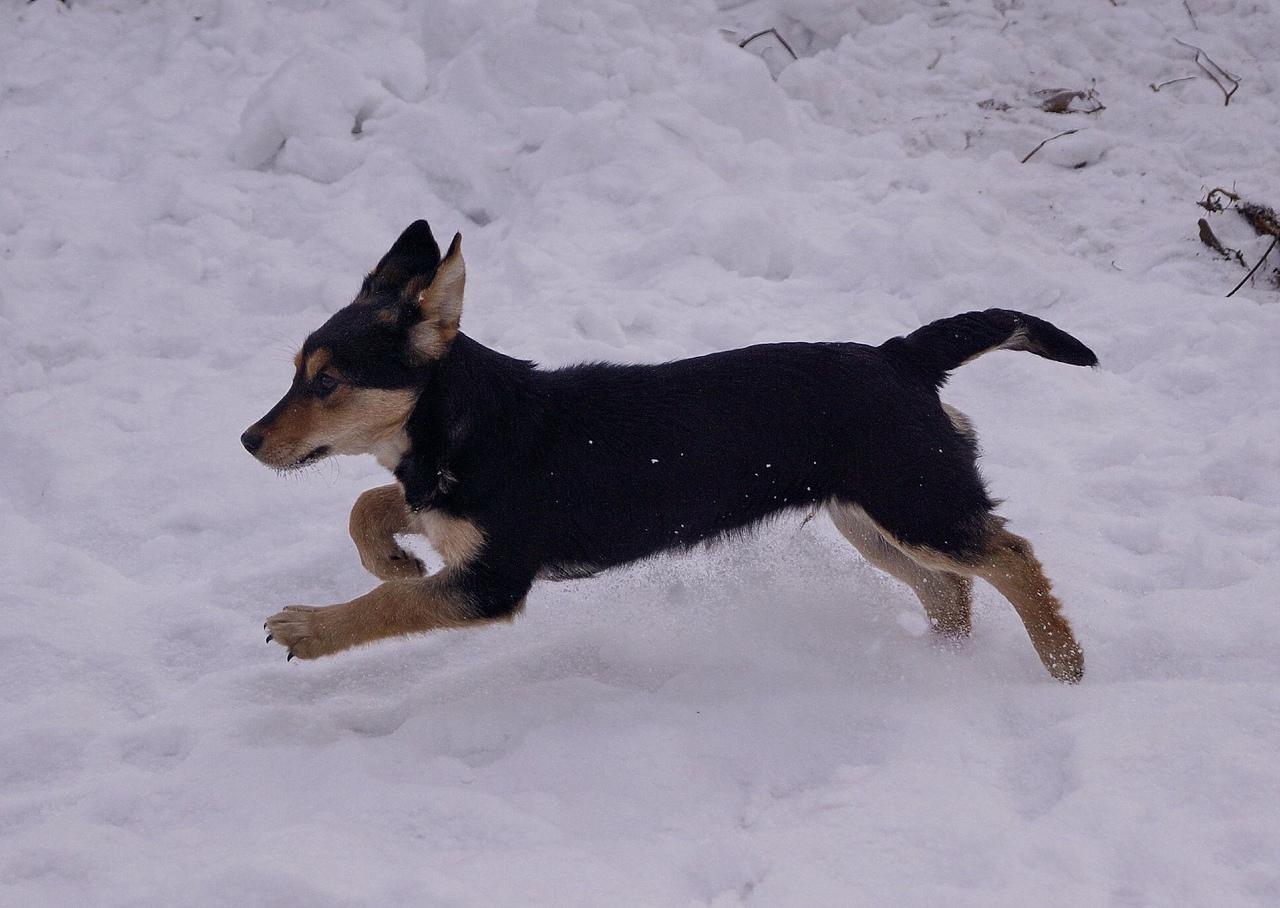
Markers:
point(359, 376)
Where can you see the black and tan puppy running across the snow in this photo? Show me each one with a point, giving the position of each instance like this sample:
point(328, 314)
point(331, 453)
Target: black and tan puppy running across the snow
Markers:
point(516, 473)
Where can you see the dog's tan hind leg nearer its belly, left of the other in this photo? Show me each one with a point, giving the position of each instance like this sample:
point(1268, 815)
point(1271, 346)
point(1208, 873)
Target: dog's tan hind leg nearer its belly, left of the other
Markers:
point(947, 596)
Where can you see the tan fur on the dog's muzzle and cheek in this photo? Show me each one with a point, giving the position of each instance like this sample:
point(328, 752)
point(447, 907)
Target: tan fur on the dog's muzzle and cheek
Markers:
point(351, 421)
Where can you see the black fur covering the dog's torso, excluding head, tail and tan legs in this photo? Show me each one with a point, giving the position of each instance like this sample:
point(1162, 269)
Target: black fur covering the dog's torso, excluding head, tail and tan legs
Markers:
point(575, 471)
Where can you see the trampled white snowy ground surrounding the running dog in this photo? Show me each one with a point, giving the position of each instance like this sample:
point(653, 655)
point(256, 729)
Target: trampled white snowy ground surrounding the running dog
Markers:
point(188, 189)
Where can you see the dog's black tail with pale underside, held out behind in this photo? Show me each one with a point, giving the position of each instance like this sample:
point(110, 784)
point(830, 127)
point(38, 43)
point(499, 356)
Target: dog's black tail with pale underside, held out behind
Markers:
point(941, 346)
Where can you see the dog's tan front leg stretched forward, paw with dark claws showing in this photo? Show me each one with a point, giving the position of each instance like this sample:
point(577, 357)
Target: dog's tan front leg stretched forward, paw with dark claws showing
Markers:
point(394, 609)
